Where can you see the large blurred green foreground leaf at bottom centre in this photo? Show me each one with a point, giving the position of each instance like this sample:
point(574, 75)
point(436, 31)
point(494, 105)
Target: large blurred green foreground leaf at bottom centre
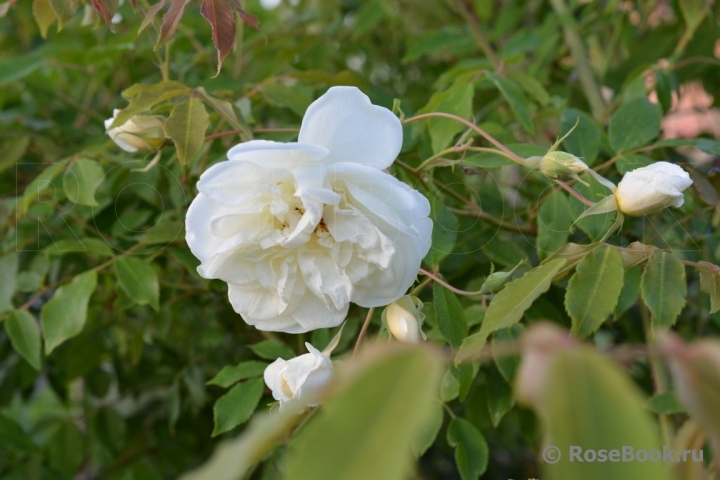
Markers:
point(376, 413)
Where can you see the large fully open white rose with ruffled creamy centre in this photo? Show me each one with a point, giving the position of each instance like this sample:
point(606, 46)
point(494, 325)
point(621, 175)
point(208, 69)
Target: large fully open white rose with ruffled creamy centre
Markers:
point(299, 230)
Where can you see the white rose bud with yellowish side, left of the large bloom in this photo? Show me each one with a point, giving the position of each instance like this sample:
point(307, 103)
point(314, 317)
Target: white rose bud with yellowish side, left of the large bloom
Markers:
point(140, 133)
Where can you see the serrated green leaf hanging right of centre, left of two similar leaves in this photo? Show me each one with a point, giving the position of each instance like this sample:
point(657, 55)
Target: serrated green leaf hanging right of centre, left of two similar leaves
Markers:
point(594, 290)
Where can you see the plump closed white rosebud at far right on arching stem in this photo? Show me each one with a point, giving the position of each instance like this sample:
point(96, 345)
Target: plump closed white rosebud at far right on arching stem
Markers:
point(650, 189)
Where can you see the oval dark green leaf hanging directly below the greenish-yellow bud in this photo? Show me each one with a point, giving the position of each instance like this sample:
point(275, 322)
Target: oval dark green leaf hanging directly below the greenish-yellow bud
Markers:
point(554, 223)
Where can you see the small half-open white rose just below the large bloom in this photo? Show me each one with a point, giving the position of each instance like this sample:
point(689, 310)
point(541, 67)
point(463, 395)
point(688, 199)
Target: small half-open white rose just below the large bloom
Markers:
point(301, 379)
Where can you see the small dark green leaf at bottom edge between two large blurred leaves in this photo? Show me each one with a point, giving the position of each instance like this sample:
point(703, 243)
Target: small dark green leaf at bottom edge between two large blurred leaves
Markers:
point(471, 450)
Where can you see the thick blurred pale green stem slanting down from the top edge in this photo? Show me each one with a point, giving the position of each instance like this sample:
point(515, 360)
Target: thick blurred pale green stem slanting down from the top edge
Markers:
point(577, 50)
